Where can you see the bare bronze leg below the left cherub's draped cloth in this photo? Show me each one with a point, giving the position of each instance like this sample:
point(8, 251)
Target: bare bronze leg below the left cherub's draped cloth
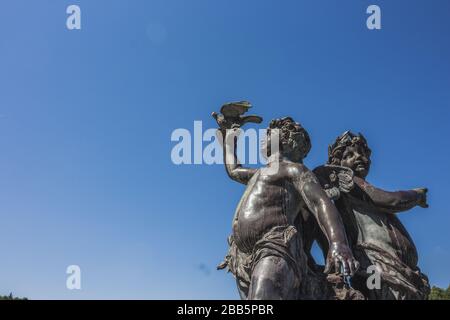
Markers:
point(273, 279)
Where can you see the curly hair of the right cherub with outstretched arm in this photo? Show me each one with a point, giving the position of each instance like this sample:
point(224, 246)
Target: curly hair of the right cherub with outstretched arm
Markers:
point(347, 139)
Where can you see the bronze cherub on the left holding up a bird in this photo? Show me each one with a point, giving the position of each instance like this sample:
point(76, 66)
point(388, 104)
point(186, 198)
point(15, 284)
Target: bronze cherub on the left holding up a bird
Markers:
point(266, 253)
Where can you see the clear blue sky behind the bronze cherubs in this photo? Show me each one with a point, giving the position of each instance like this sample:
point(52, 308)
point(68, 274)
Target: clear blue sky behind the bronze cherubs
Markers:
point(86, 118)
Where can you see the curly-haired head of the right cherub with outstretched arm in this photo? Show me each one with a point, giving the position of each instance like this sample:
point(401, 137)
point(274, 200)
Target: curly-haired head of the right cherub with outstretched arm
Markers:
point(351, 151)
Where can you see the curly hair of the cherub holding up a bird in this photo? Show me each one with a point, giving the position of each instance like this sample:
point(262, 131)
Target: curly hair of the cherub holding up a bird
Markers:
point(288, 130)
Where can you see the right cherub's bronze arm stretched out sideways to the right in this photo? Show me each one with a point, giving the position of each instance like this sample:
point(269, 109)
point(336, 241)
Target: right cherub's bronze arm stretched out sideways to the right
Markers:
point(396, 201)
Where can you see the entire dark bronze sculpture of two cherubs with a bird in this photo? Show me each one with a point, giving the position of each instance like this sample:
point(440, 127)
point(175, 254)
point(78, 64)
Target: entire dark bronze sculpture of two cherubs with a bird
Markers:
point(286, 207)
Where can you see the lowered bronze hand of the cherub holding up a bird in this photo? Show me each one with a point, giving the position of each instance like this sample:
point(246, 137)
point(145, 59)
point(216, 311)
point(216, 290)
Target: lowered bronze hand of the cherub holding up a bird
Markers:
point(341, 257)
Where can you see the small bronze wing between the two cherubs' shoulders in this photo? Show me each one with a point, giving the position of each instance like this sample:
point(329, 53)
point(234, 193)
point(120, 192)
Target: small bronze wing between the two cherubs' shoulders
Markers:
point(331, 176)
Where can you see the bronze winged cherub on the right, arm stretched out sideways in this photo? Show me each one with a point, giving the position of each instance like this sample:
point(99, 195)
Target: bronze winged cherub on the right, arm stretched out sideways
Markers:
point(376, 235)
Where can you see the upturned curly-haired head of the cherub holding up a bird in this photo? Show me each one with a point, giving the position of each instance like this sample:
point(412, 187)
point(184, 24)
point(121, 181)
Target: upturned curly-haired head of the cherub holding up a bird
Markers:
point(294, 142)
